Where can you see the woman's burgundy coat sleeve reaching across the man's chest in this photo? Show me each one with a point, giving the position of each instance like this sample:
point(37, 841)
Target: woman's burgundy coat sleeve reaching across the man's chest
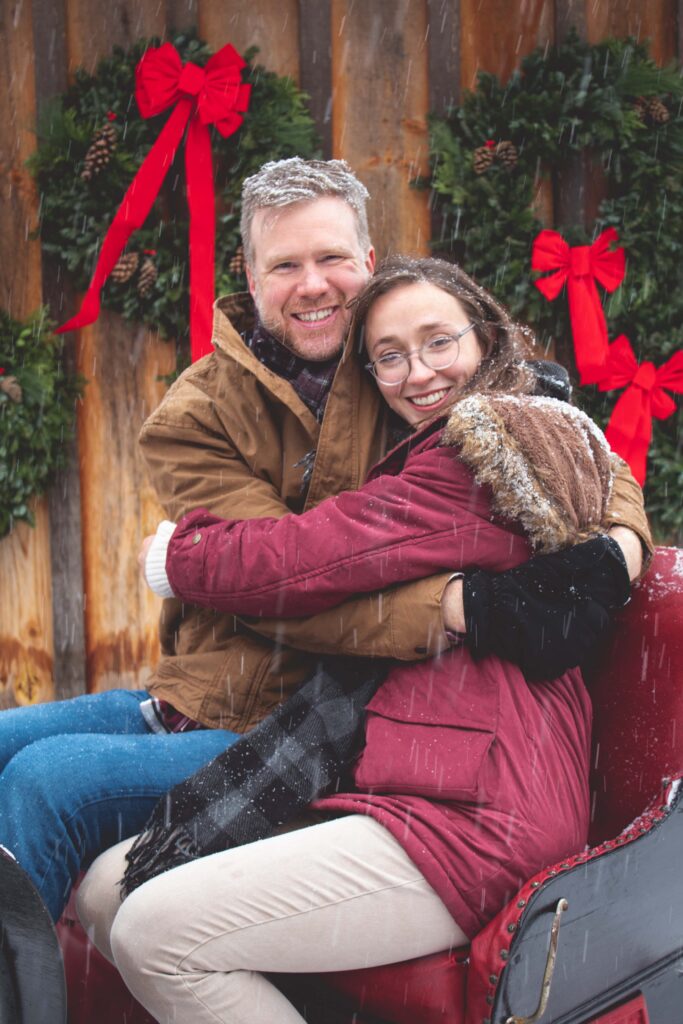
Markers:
point(396, 529)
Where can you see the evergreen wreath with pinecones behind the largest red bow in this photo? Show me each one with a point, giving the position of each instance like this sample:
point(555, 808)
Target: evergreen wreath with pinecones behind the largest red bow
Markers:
point(92, 144)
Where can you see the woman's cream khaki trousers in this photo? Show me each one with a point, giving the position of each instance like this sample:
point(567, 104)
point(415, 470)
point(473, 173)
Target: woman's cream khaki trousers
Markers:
point(192, 944)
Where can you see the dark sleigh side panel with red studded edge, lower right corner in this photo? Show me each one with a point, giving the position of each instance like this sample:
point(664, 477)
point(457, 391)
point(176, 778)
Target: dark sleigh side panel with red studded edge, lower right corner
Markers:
point(621, 927)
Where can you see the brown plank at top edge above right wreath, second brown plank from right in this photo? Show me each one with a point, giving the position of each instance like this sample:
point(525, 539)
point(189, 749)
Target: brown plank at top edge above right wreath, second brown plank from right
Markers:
point(497, 34)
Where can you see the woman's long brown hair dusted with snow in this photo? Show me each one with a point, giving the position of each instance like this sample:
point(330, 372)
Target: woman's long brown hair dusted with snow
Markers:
point(505, 345)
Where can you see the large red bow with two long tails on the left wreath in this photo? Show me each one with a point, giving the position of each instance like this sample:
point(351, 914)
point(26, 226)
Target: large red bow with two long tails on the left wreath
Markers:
point(203, 97)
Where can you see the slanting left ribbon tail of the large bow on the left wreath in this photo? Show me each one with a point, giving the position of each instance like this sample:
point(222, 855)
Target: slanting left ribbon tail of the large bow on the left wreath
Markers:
point(134, 212)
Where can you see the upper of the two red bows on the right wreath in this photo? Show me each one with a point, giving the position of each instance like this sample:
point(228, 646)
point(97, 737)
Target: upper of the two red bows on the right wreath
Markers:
point(580, 269)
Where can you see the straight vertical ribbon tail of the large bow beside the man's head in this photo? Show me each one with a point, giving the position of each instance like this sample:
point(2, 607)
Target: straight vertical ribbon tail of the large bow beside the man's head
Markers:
point(199, 175)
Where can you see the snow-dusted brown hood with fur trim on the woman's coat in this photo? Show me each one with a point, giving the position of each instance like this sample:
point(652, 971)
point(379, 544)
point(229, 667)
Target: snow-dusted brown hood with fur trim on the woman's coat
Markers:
point(548, 465)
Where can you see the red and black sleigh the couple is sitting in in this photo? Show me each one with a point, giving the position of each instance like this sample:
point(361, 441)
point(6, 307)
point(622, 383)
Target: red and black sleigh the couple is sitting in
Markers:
point(597, 940)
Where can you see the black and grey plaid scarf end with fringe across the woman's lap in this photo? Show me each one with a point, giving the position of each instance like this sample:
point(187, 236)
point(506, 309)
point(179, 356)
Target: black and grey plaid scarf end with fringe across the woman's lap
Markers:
point(294, 756)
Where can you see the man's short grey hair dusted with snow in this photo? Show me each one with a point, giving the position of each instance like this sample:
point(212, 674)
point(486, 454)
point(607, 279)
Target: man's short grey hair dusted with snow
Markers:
point(283, 183)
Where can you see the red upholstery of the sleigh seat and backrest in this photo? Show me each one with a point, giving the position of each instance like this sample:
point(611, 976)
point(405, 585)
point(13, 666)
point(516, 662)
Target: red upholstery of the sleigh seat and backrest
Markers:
point(638, 738)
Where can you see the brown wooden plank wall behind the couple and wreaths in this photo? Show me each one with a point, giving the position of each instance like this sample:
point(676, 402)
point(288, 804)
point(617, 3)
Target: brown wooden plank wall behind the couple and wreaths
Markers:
point(373, 69)
